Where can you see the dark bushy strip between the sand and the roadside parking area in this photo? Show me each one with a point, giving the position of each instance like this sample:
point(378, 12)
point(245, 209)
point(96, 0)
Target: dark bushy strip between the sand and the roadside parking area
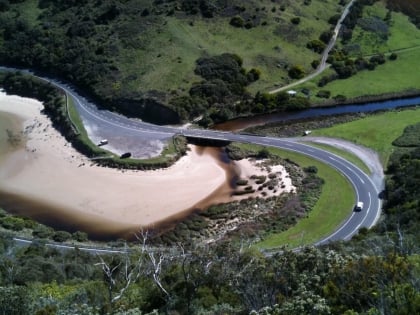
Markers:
point(65, 118)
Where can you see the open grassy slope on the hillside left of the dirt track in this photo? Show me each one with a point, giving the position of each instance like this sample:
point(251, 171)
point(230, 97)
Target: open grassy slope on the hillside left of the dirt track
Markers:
point(169, 50)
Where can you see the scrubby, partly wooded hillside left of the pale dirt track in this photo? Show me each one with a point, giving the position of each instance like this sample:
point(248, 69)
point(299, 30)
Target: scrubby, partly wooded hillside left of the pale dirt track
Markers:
point(129, 50)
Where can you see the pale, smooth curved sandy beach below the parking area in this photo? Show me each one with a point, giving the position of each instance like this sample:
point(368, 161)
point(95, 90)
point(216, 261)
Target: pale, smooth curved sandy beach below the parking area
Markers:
point(46, 168)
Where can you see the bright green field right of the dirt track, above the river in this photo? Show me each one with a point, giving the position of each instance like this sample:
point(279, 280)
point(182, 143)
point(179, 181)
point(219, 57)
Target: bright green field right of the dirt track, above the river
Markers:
point(394, 76)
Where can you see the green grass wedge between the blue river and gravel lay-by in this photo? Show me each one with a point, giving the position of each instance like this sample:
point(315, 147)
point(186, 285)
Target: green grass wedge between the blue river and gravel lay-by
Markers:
point(375, 131)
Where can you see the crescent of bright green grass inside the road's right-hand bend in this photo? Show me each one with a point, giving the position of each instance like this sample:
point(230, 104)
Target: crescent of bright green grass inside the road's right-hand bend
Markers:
point(333, 207)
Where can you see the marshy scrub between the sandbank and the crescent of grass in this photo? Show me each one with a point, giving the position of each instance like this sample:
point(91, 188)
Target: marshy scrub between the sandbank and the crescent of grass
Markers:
point(255, 219)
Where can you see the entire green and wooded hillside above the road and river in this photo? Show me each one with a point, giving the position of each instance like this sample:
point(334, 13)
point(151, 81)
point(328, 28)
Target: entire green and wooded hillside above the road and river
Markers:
point(211, 58)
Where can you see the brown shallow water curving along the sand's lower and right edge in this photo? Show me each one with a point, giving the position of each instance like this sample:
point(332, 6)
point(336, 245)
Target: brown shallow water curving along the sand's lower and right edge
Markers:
point(98, 227)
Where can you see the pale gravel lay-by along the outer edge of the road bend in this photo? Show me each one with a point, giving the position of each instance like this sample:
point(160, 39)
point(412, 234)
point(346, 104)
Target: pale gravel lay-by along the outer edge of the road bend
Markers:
point(368, 156)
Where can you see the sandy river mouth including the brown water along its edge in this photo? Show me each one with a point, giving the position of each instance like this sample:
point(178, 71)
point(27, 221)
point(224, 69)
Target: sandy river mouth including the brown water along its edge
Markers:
point(39, 182)
